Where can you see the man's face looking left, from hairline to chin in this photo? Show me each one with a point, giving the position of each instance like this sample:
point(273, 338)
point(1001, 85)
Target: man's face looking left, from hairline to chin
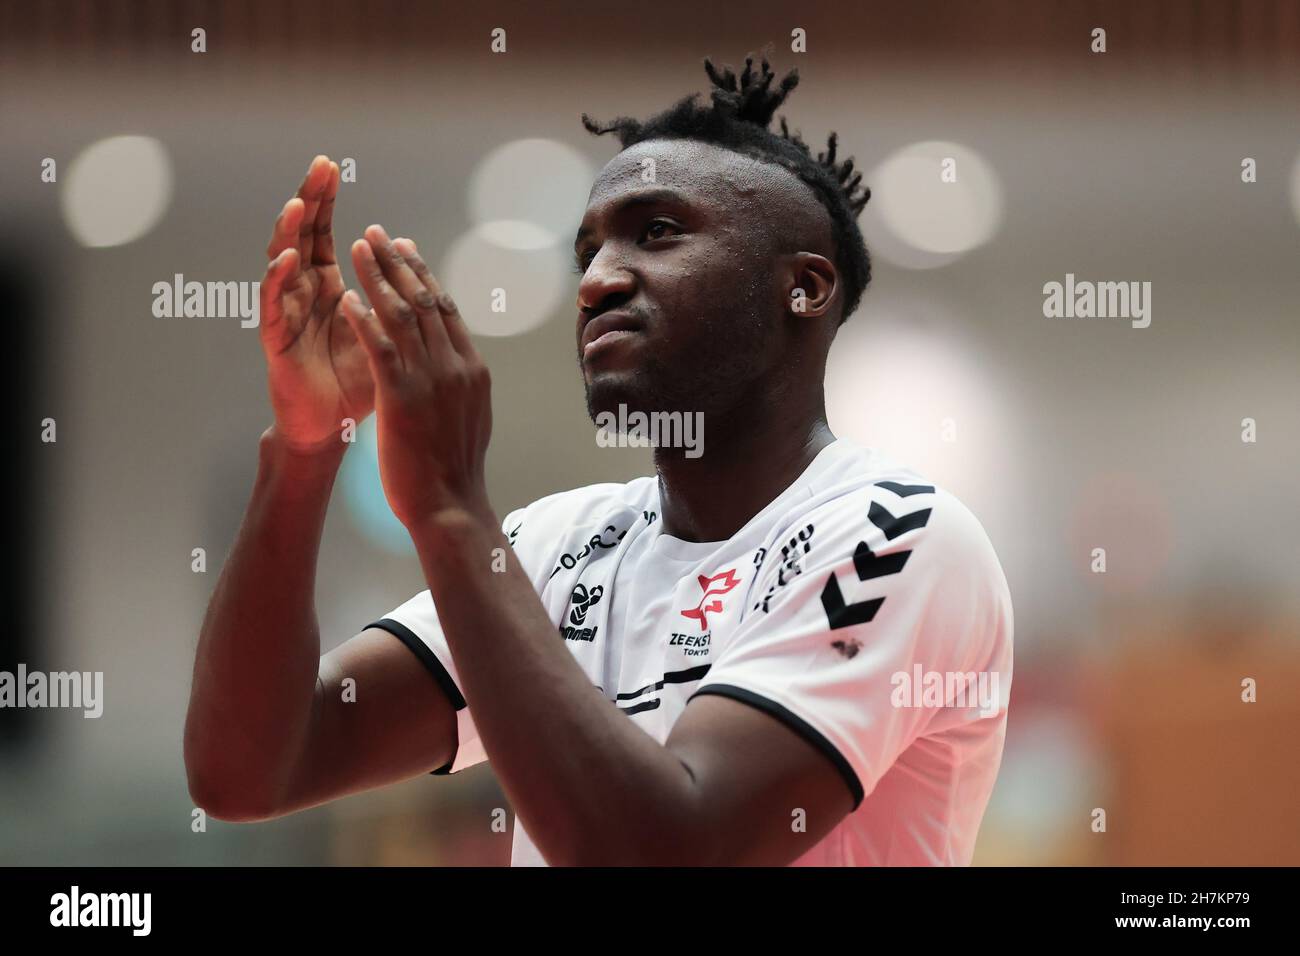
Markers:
point(681, 306)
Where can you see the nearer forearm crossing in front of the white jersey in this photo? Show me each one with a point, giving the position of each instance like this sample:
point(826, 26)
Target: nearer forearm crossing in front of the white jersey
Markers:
point(592, 788)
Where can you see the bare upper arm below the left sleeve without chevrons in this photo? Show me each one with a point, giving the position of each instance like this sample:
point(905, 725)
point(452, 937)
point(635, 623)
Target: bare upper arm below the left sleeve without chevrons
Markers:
point(391, 724)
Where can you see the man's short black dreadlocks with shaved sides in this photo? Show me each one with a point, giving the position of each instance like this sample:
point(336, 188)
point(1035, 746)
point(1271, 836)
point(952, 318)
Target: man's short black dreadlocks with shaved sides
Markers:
point(739, 120)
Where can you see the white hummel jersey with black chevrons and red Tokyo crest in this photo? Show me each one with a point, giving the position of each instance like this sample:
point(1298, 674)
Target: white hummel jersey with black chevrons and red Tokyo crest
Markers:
point(864, 608)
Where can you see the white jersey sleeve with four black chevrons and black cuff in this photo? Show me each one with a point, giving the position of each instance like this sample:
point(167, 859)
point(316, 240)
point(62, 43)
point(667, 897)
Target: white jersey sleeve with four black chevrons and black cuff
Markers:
point(868, 595)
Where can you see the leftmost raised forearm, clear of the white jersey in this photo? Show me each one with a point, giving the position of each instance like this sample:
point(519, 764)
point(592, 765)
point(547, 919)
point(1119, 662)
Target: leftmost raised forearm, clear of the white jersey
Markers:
point(259, 648)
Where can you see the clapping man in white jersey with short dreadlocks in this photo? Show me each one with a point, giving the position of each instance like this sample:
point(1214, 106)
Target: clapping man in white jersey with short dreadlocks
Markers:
point(709, 667)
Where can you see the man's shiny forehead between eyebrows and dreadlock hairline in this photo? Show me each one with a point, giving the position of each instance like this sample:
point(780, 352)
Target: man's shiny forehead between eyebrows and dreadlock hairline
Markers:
point(703, 174)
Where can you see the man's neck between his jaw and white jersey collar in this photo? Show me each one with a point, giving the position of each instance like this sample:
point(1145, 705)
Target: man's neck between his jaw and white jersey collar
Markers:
point(747, 464)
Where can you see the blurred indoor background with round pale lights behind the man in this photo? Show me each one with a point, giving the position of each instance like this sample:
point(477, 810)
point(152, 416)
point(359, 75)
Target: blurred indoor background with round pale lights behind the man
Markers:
point(1061, 435)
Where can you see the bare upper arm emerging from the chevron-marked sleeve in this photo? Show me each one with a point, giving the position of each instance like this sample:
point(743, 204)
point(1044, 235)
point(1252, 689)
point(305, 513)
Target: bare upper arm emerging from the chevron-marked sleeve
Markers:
point(764, 793)
